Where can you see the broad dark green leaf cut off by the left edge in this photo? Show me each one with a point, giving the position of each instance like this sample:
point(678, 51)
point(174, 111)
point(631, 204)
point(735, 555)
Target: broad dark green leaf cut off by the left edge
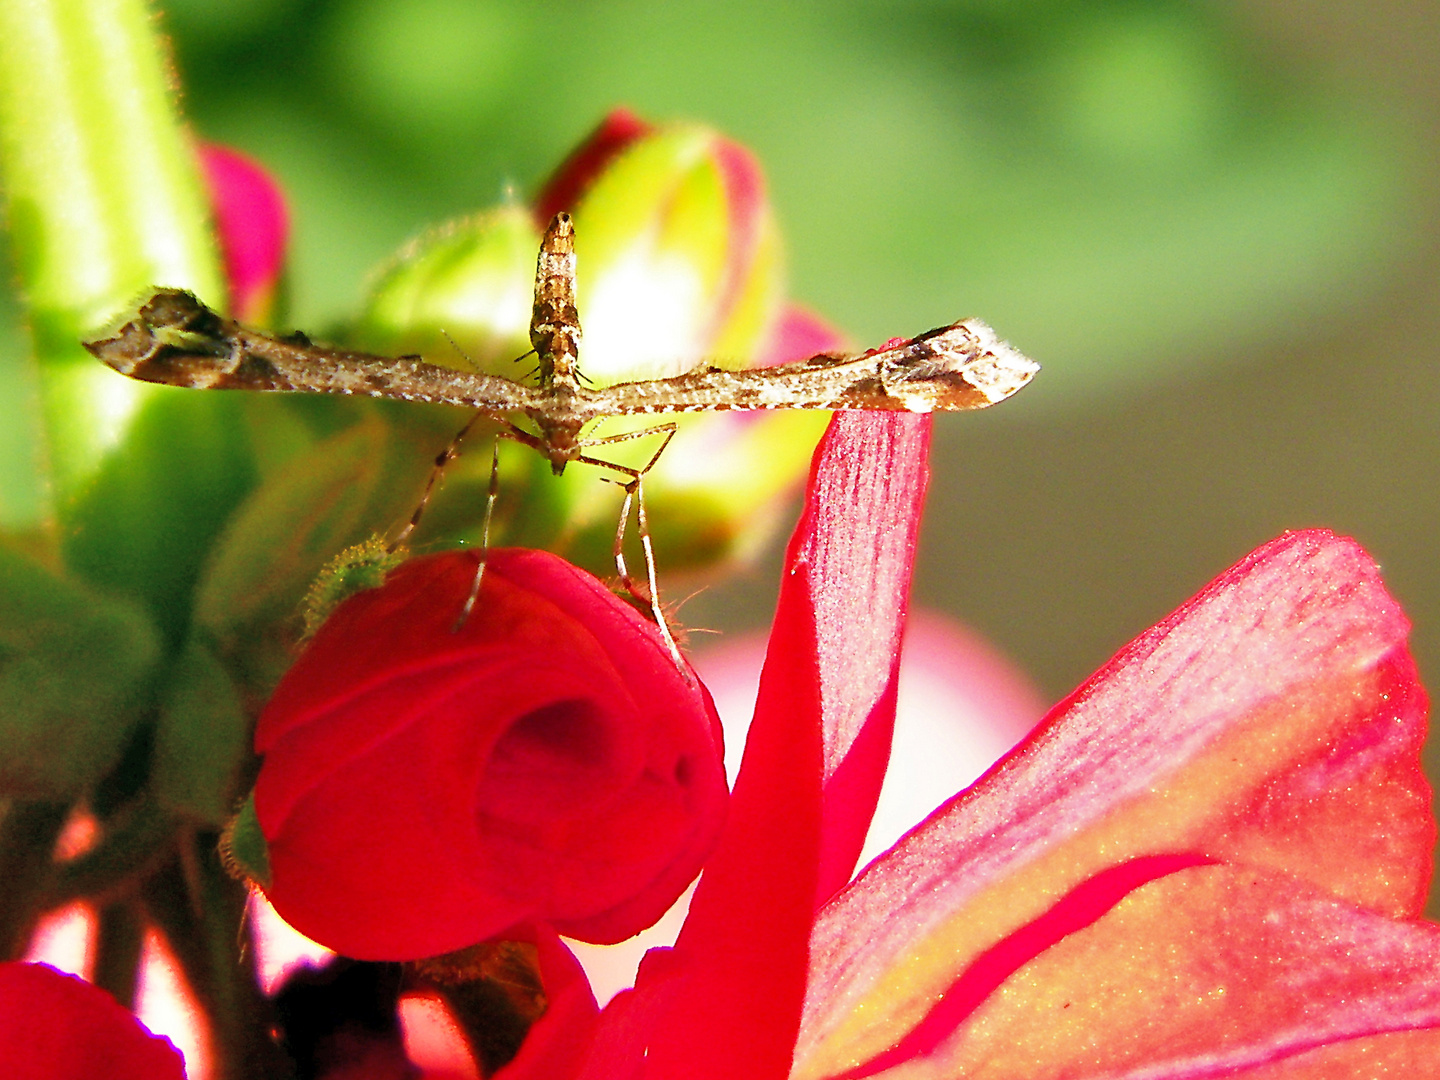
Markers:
point(74, 672)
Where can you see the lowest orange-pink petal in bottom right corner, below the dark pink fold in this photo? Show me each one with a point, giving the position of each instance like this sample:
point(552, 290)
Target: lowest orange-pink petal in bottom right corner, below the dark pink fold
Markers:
point(1207, 973)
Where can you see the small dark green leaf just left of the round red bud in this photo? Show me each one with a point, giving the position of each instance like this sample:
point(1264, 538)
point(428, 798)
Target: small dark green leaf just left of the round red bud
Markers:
point(202, 739)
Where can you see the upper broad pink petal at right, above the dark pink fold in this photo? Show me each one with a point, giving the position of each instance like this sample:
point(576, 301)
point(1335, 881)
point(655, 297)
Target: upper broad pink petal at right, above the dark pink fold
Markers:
point(1279, 696)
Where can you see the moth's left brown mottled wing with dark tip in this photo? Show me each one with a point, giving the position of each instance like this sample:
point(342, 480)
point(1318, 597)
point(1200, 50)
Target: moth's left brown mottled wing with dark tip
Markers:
point(178, 341)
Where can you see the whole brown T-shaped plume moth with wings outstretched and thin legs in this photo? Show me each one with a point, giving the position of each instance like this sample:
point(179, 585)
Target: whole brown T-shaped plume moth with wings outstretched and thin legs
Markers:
point(175, 339)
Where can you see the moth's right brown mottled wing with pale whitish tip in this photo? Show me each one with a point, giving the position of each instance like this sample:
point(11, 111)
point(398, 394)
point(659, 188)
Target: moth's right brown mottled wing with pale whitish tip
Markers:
point(963, 366)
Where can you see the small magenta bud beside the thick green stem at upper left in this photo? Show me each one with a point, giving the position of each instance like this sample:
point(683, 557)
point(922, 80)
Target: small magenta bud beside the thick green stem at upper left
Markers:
point(253, 228)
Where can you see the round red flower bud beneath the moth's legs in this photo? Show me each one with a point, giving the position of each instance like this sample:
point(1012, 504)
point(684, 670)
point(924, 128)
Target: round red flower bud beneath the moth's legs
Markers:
point(426, 787)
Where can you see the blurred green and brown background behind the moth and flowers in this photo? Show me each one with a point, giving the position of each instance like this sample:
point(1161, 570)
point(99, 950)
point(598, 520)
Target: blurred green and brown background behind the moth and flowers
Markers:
point(1215, 224)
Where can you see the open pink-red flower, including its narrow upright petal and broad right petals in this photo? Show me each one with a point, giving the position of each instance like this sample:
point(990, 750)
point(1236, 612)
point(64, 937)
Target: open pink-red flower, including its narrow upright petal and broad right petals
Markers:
point(1207, 862)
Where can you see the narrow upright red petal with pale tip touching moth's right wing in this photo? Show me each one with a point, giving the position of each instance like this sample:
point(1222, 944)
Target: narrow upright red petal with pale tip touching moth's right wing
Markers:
point(726, 1002)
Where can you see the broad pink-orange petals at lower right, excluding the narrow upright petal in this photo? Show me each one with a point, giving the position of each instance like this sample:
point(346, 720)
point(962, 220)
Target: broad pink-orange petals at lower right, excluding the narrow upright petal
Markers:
point(1203, 862)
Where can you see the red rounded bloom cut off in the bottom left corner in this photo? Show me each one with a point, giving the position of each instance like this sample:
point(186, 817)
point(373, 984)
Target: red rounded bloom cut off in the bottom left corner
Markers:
point(58, 1027)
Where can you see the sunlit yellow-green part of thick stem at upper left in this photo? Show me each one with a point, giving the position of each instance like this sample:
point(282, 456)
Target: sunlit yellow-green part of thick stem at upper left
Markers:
point(104, 201)
